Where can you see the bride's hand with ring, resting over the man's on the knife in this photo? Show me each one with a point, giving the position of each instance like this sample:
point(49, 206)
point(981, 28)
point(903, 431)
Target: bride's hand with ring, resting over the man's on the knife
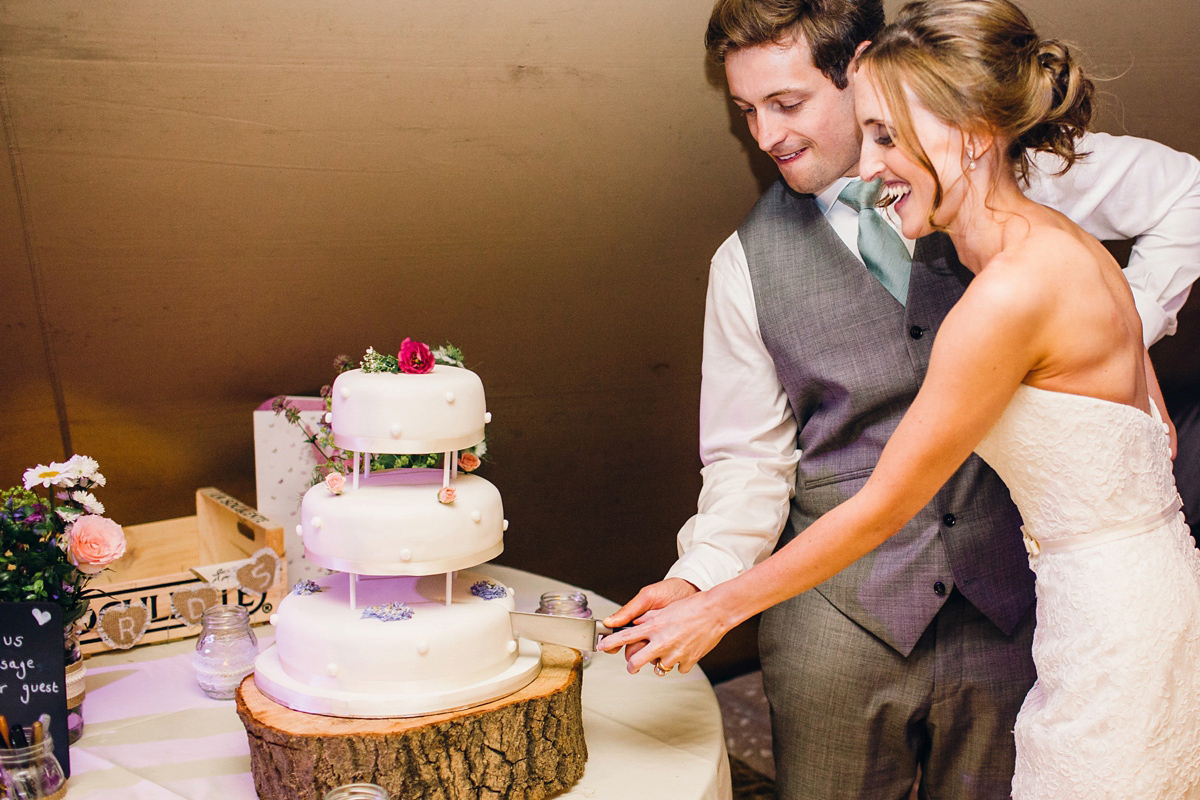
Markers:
point(676, 636)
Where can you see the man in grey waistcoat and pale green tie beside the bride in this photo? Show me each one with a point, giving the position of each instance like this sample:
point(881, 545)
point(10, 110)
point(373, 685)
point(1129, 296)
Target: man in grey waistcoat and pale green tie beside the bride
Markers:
point(917, 655)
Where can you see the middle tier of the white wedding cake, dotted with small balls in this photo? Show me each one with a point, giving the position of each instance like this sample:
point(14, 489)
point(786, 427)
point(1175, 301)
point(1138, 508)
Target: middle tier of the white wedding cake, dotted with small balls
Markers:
point(394, 524)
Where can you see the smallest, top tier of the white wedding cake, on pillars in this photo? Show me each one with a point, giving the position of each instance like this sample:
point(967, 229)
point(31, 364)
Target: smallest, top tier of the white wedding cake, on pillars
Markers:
point(401, 413)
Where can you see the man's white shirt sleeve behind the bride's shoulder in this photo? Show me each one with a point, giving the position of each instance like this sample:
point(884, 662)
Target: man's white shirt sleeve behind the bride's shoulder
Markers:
point(1142, 190)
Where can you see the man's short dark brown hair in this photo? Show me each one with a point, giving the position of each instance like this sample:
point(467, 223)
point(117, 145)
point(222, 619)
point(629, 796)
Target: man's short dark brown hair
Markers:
point(833, 29)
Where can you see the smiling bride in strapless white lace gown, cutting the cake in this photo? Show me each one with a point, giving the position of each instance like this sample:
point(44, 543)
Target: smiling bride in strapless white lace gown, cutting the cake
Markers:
point(1041, 370)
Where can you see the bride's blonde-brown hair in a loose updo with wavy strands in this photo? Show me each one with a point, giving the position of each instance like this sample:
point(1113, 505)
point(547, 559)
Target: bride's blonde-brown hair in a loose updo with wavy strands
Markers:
point(980, 67)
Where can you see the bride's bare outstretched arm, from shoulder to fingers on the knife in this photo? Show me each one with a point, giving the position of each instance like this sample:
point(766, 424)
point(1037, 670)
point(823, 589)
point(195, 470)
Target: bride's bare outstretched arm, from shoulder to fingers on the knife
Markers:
point(987, 346)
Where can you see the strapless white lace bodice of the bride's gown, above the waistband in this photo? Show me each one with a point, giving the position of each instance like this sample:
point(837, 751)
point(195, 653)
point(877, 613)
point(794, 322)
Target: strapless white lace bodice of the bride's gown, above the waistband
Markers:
point(1078, 465)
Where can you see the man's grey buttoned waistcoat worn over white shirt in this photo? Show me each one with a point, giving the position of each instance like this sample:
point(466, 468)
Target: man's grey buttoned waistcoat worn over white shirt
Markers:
point(851, 360)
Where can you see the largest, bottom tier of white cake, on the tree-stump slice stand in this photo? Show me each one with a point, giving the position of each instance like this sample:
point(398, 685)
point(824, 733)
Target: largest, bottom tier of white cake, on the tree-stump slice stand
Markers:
point(340, 659)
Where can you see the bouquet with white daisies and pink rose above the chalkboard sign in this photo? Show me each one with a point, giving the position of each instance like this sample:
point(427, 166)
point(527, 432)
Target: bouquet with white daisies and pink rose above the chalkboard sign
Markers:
point(52, 546)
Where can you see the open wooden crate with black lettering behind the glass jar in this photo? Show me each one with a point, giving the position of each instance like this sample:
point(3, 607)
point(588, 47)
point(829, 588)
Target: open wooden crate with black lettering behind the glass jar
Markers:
point(165, 569)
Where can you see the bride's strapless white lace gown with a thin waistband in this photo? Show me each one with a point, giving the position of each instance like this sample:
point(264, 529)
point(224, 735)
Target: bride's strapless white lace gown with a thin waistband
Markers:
point(1115, 712)
